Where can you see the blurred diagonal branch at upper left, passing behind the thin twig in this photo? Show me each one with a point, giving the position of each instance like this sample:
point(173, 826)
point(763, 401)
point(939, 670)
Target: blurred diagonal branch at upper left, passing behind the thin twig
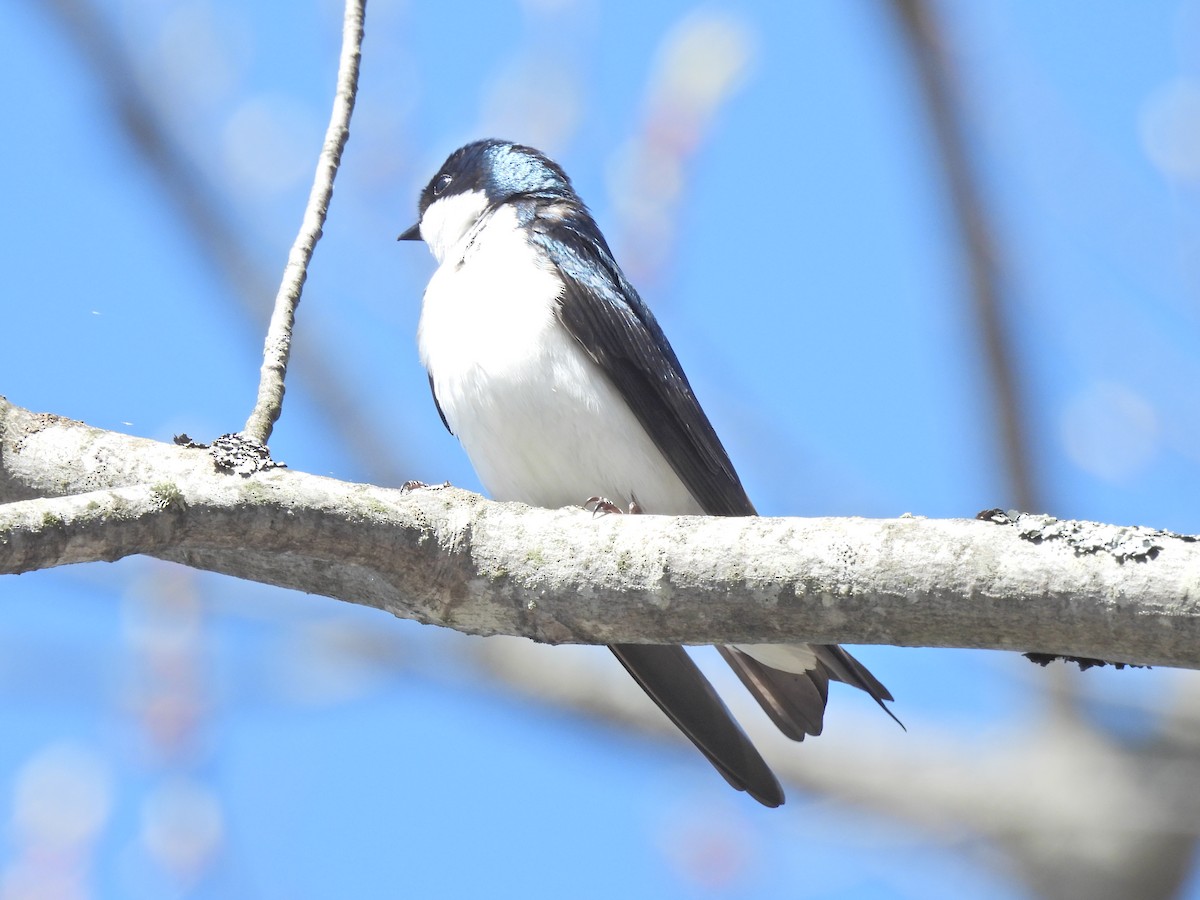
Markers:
point(212, 229)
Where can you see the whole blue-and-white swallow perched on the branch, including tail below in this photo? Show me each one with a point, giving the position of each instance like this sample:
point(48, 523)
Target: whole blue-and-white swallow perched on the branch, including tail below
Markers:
point(560, 385)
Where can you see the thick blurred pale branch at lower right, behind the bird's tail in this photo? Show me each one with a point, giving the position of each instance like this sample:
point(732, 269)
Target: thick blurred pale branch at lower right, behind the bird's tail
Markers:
point(1077, 815)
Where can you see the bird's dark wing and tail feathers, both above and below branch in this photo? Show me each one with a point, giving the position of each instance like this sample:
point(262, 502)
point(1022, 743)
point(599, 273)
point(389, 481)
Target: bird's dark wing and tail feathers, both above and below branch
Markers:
point(605, 315)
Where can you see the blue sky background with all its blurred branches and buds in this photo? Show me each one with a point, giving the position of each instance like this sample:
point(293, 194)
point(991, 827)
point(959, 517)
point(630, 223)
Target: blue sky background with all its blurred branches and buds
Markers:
point(917, 259)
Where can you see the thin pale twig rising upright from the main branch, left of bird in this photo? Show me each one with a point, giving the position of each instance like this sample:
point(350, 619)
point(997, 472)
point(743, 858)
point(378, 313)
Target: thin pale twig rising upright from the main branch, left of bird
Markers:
point(279, 335)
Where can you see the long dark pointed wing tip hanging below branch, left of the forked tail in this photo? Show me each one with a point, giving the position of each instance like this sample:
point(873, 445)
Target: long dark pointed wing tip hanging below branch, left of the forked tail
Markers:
point(673, 681)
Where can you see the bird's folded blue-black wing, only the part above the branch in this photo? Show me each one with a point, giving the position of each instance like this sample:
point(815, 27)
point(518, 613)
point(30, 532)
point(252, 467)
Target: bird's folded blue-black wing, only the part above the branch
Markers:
point(605, 315)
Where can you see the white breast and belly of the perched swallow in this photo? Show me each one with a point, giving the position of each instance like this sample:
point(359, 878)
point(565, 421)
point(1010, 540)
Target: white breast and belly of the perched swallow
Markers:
point(538, 418)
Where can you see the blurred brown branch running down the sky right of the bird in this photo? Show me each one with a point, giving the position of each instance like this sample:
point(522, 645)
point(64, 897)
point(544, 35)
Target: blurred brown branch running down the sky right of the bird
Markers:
point(926, 45)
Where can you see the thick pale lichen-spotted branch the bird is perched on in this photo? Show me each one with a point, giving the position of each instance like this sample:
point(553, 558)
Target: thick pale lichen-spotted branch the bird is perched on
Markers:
point(448, 557)
